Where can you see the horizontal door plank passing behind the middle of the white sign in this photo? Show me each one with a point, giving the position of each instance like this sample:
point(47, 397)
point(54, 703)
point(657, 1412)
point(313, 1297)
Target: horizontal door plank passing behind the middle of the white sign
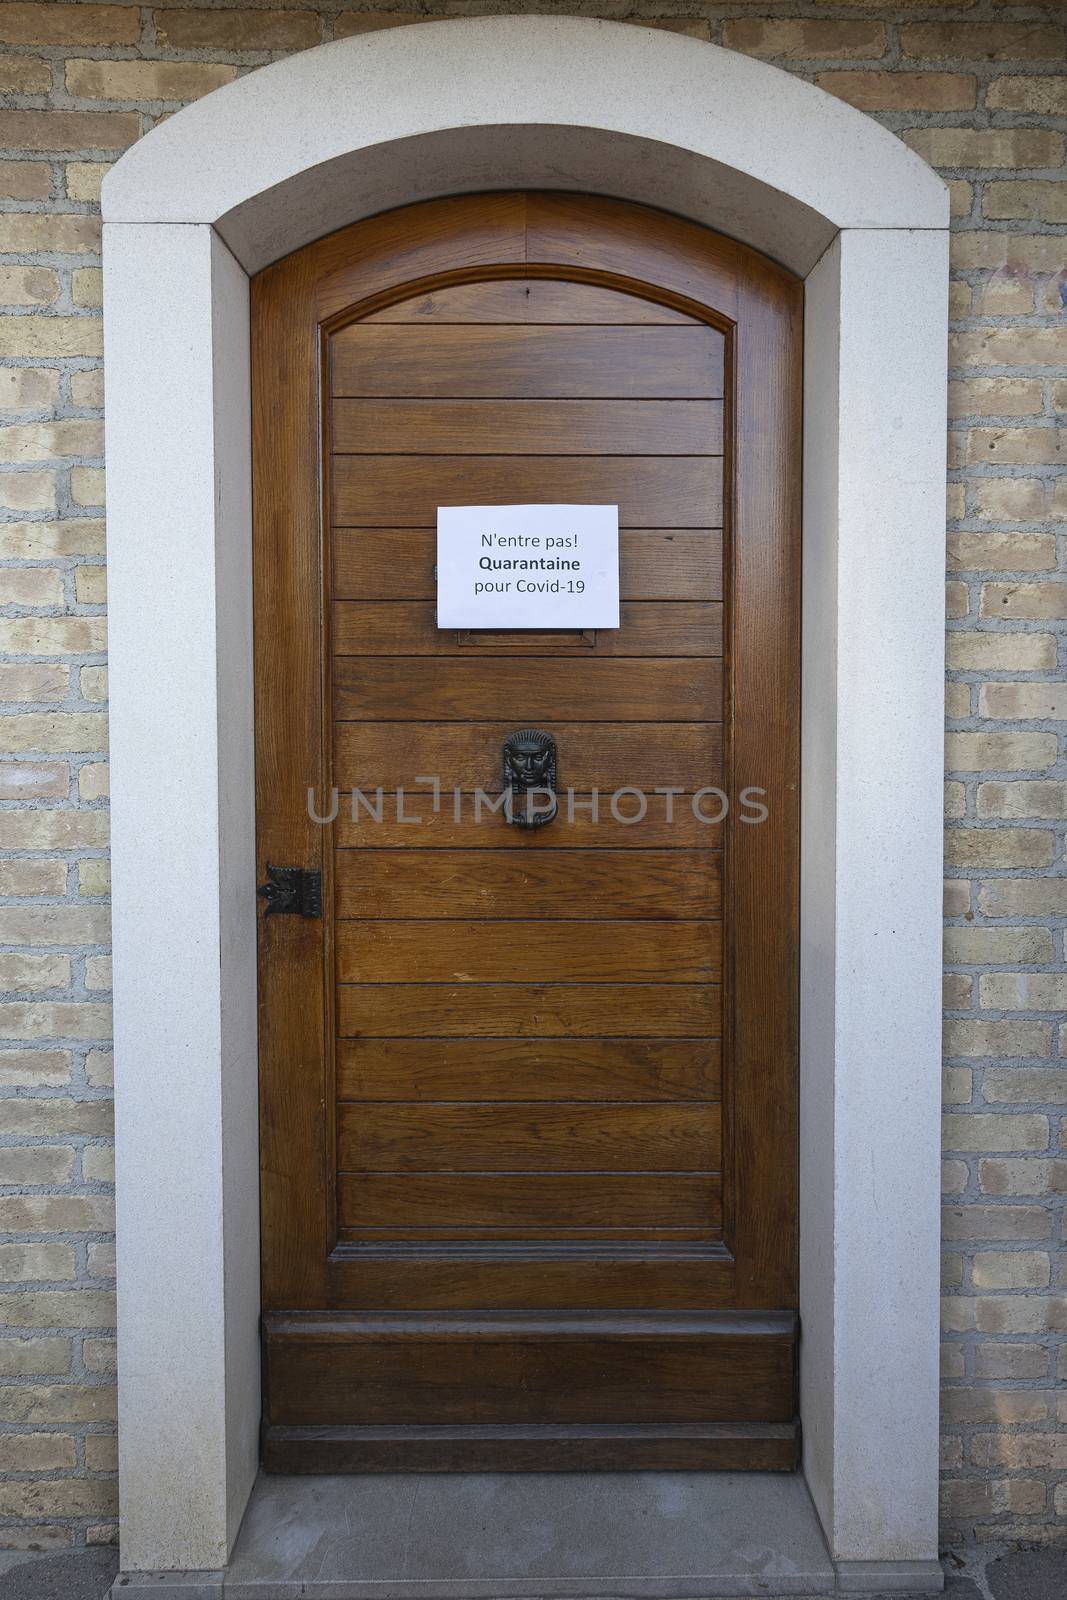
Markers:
point(398, 564)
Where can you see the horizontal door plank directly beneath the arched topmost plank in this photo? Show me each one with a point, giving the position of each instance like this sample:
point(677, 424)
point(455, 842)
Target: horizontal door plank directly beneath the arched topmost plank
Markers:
point(370, 361)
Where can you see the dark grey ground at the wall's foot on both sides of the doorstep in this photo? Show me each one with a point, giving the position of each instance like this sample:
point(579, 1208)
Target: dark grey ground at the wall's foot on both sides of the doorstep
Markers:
point(970, 1575)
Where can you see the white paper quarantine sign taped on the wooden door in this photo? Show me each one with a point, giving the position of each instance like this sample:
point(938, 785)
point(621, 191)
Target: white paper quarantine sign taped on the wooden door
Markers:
point(529, 567)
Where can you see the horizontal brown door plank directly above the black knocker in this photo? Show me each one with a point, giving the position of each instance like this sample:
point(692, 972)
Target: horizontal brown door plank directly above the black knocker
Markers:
point(666, 690)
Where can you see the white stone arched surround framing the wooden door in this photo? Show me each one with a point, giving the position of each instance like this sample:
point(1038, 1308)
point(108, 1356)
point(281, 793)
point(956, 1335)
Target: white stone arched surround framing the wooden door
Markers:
point(255, 170)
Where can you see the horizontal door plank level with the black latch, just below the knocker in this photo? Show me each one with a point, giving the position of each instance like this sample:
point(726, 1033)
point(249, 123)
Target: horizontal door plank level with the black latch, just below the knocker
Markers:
point(677, 886)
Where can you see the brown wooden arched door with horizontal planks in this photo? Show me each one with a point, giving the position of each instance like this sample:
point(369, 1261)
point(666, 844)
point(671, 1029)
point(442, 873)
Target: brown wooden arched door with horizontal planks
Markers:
point(529, 1095)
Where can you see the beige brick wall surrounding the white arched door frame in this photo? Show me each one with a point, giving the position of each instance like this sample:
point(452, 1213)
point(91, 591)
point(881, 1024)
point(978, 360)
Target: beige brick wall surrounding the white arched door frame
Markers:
point(980, 89)
